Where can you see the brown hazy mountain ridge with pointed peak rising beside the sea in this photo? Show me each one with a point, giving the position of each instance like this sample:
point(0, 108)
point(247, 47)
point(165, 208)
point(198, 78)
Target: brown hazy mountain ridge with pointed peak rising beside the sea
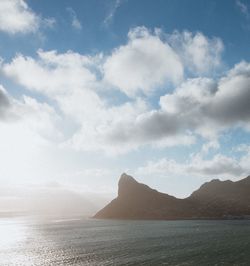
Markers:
point(213, 200)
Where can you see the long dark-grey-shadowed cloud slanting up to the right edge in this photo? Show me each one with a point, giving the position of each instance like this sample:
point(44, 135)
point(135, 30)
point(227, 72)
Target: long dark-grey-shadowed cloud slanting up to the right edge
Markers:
point(200, 105)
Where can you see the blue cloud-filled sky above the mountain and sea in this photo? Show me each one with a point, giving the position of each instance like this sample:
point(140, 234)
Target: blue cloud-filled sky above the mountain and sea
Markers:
point(90, 89)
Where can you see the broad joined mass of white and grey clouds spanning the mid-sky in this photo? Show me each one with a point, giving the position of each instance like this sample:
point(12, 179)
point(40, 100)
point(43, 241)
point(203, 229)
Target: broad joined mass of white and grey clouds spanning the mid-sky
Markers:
point(198, 107)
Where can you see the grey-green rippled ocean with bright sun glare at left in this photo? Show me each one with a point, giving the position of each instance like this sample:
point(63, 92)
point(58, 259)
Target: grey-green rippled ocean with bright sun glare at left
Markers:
point(29, 241)
